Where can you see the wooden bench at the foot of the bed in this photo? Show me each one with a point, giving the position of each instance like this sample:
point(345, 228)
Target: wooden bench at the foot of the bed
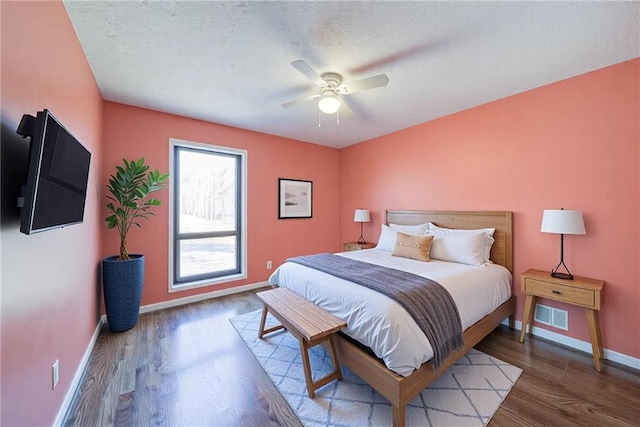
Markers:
point(310, 324)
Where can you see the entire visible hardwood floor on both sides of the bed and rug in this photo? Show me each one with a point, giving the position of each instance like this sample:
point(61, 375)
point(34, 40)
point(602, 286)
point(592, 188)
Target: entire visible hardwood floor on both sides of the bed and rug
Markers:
point(187, 366)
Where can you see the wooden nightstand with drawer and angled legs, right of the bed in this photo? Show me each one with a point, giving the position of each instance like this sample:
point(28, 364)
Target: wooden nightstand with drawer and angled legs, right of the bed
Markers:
point(580, 291)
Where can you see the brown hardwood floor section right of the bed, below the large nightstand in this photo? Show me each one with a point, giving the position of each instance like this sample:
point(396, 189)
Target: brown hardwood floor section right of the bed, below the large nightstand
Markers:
point(560, 387)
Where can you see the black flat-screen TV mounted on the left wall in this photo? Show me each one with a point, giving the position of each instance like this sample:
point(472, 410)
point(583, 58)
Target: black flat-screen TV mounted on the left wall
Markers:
point(57, 176)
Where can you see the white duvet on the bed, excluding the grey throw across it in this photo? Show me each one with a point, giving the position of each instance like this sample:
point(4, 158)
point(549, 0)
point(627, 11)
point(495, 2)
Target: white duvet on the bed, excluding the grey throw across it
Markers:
point(382, 324)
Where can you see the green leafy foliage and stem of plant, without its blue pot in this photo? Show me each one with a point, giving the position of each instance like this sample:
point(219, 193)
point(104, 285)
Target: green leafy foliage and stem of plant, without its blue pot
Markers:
point(130, 192)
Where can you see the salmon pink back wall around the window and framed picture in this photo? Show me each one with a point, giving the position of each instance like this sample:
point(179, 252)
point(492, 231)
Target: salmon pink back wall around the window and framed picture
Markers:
point(132, 132)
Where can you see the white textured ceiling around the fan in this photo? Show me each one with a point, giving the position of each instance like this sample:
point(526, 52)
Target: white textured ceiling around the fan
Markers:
point(229, 62)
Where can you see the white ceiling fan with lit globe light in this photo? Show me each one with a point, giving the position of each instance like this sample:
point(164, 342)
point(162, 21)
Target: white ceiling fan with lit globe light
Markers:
point(332, 90)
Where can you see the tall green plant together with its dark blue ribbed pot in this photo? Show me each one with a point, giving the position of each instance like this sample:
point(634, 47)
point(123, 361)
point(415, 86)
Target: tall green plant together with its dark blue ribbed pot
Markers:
point(122, 275)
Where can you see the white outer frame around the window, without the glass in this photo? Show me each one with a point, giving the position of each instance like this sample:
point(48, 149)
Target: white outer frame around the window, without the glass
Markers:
point(173, 143)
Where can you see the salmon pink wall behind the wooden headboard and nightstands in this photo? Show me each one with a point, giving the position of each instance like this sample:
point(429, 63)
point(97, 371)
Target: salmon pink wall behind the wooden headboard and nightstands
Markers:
point(572, 144)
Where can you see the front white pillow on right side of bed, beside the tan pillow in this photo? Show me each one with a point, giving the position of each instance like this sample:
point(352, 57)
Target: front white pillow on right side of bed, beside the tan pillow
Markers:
point(463, 248)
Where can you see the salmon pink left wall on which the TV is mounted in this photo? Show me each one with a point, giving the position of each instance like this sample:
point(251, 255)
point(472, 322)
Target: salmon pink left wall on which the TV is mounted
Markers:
point(49, 280)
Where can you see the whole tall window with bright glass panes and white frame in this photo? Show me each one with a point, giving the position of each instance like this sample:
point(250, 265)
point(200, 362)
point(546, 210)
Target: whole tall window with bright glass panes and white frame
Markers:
point(208, 210)
